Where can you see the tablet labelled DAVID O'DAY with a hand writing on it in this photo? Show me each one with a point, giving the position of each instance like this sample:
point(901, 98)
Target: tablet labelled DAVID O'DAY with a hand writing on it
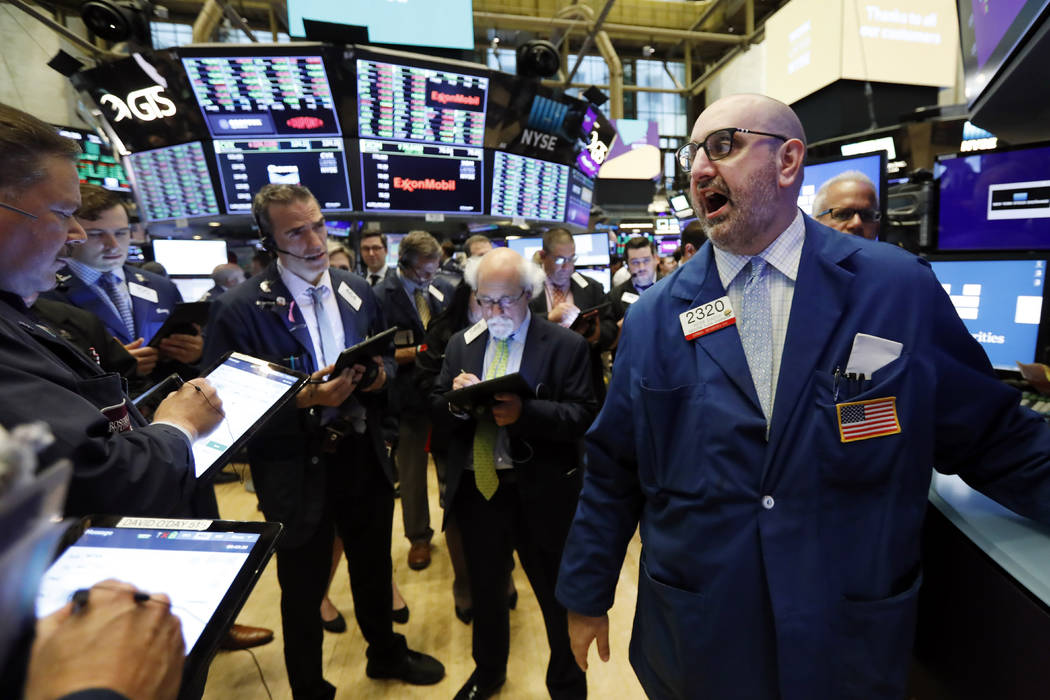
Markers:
point(206, 567)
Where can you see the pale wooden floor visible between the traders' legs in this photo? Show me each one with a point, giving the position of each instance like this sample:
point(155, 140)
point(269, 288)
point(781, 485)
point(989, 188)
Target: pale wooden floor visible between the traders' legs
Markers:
point(433, 628)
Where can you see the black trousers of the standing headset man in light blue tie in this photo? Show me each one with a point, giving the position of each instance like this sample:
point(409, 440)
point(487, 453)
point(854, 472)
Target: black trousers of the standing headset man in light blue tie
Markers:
point(360, 506)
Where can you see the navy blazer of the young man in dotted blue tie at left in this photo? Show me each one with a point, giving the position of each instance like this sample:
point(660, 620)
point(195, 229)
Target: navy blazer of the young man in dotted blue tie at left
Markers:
point(150, 316)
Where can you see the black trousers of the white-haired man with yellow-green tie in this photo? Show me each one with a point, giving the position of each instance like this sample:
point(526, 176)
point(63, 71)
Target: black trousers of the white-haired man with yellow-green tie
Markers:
point(492, 532)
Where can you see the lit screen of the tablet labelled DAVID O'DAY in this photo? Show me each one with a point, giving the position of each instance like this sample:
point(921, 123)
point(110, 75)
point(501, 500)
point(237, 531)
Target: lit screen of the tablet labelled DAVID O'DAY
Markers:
point(195, 569)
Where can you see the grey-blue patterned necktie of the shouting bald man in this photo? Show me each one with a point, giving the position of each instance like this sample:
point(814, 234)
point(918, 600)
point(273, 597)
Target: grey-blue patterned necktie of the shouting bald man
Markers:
point(757, 332)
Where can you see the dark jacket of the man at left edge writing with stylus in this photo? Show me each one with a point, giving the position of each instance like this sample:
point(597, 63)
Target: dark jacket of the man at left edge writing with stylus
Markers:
point(148, 471)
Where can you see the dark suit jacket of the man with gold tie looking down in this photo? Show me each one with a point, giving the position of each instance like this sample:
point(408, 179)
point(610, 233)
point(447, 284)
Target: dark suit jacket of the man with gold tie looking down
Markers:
point(401, 312)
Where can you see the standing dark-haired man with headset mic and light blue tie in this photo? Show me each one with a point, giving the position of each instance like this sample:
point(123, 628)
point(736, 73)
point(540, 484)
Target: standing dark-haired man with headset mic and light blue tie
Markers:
point(321, 465)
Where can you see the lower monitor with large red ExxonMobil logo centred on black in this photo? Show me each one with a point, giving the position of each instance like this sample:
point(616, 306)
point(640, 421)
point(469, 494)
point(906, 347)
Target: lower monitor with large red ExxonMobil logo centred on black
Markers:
point(401, 177)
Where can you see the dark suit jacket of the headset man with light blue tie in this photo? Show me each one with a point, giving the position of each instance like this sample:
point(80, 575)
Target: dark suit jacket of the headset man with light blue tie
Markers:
point(260, 319)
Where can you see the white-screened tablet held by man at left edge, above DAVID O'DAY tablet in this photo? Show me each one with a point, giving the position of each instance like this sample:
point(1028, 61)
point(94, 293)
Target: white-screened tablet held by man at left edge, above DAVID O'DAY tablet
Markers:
point(251, 392)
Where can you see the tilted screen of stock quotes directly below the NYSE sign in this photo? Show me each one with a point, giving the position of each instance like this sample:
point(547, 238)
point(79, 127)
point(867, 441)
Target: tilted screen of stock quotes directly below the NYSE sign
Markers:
point(528, 188)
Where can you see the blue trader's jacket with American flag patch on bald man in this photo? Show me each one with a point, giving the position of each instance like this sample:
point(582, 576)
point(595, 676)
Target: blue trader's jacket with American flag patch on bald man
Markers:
point(789, 566)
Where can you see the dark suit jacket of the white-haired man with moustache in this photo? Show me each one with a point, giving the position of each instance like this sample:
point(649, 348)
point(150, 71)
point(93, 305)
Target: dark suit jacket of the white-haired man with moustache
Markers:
point(545, 442)
